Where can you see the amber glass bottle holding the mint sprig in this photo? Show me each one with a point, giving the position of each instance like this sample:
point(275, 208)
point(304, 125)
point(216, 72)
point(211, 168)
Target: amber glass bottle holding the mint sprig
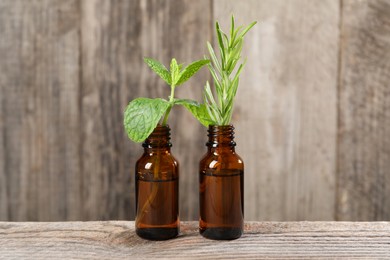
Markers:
point(157, 176)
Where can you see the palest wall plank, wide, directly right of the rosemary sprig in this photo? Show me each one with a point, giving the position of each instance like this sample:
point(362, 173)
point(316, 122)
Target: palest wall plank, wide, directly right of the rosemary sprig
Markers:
point(286, 112)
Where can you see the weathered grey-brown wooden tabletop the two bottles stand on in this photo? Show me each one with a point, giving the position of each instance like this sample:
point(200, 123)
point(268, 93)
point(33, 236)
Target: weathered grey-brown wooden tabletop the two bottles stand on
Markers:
point(117, 239)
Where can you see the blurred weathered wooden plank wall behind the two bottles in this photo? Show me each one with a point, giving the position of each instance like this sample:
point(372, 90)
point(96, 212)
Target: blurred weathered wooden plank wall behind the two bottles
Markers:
point(312, 114)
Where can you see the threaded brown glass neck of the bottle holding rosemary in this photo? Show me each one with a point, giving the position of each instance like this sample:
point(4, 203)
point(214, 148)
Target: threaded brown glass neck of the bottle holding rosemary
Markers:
point(221, 137)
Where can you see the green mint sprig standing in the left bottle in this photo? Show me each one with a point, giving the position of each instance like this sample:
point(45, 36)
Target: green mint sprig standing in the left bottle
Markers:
point(143, 114)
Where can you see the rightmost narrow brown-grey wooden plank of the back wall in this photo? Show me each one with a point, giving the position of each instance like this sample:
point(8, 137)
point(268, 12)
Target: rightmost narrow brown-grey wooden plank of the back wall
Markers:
point(364, 121)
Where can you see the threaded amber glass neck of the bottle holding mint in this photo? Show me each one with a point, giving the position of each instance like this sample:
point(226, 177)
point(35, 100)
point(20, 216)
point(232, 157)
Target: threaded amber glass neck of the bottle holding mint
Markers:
point(158, 139)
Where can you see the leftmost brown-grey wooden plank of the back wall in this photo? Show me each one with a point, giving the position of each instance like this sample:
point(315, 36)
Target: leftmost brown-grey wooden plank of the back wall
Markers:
point(39, 83)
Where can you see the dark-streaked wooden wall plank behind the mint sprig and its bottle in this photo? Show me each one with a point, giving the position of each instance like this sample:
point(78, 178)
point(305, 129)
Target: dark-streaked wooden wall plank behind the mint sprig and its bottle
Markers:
point(115, 38)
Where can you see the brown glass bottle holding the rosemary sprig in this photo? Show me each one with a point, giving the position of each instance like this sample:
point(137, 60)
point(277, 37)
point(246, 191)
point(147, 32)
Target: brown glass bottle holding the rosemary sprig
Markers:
point(221, 191)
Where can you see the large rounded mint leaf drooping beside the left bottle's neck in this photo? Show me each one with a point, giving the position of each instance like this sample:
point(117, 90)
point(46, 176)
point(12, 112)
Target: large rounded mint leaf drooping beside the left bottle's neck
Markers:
point(142, 116)
